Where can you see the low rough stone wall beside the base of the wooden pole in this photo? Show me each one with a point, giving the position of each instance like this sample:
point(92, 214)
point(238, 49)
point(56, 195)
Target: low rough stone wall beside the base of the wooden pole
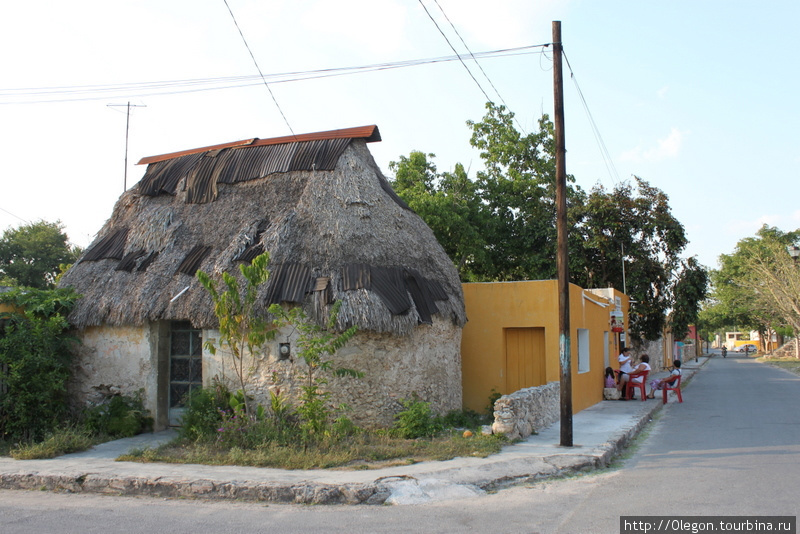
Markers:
point(521, 413)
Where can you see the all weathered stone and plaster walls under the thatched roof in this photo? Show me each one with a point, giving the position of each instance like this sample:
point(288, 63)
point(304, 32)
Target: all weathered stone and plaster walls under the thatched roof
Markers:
point(426, 363)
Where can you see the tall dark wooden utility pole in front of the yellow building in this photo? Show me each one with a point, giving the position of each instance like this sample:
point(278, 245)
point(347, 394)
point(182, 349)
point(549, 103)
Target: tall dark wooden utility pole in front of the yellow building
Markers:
point(562, 255)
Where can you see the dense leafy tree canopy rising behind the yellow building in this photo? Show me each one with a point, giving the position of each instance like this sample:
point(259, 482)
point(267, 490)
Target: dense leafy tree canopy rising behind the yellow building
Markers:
point(501, 226)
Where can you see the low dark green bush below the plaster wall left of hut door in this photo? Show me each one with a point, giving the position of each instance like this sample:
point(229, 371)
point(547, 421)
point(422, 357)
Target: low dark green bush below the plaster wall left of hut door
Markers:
point(120, 417)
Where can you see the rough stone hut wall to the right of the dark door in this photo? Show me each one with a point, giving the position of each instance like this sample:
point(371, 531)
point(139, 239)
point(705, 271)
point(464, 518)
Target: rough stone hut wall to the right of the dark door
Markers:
point(427, 362)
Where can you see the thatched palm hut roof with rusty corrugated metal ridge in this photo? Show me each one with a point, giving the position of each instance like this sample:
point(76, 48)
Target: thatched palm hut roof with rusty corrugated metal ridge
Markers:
point(317, 203)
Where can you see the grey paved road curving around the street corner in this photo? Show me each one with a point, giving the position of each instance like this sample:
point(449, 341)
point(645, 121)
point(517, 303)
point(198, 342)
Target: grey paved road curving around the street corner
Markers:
point(732, 448)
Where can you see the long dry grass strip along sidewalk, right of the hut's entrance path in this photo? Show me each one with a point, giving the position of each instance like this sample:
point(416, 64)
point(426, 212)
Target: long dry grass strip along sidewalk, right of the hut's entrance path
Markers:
point(365, 450)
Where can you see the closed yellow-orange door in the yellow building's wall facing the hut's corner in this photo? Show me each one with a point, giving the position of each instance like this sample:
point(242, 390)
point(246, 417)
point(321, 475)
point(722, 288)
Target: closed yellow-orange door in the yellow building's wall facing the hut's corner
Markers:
point(525, 358)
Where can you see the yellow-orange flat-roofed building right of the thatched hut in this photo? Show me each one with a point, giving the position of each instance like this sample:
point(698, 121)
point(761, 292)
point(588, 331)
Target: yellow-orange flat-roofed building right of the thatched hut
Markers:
point(511, 340)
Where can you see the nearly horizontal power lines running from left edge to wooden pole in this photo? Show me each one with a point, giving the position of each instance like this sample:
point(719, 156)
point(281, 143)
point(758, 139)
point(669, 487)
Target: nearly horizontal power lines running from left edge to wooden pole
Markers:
point(77, 93)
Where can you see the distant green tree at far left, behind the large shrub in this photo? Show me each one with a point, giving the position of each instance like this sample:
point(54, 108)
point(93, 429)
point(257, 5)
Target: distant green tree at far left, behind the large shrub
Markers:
point(32, 254)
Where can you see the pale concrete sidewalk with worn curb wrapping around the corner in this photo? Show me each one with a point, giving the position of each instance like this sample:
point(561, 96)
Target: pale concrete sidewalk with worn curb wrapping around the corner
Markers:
point(599, 433)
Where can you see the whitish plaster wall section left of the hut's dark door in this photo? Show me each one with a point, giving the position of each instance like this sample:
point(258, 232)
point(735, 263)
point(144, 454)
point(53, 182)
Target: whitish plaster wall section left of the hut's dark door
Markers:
point(119, 358)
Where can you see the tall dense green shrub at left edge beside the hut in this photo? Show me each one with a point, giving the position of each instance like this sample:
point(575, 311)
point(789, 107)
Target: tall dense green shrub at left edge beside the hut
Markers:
point(34, 360)
